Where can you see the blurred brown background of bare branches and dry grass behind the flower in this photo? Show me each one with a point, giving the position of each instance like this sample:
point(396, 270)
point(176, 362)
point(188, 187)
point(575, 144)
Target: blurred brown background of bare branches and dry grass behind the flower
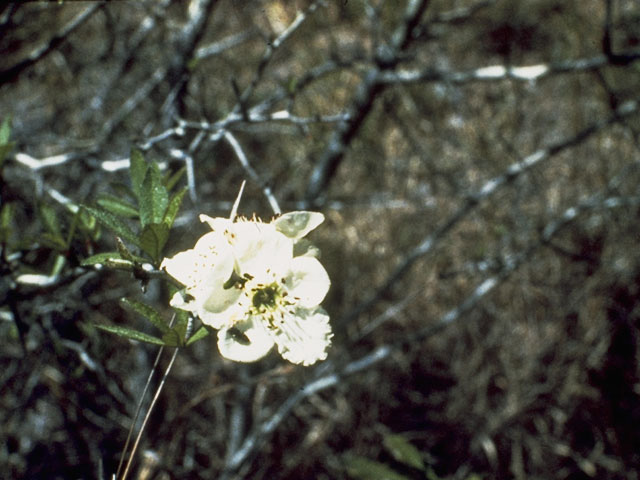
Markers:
point(477, 164)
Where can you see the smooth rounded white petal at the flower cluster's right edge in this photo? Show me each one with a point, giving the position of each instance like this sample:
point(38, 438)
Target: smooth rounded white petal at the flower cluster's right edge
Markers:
point(307, 281)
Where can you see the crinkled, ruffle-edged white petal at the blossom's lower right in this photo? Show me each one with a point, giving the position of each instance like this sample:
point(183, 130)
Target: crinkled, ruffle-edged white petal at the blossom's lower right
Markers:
point(305, 336)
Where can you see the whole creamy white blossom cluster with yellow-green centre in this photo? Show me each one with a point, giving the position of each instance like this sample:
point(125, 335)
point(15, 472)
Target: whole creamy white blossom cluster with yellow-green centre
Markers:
point(243, 279)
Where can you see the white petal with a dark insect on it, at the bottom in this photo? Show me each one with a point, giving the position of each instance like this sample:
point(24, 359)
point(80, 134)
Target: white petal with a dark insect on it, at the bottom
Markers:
point(246, 341)
